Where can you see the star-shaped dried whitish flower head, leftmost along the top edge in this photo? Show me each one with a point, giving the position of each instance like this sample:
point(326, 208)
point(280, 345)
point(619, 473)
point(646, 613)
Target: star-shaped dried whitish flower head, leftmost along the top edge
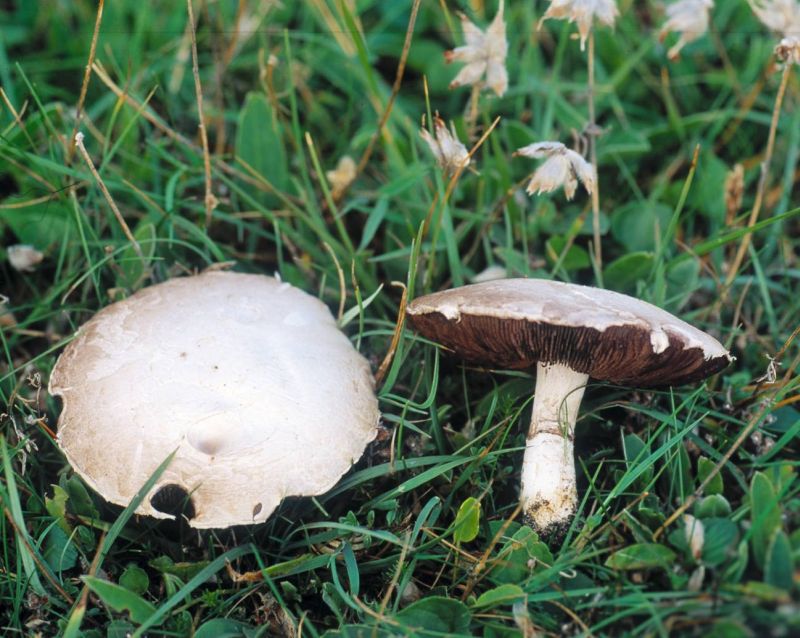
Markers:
point(483, 54)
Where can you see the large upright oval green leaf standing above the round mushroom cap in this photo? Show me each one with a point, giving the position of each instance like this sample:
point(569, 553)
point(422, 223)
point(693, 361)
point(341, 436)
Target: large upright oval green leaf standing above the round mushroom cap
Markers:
point(259, 143)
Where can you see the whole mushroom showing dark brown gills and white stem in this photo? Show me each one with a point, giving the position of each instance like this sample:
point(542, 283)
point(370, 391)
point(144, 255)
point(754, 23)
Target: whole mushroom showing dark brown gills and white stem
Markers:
point(569, 333)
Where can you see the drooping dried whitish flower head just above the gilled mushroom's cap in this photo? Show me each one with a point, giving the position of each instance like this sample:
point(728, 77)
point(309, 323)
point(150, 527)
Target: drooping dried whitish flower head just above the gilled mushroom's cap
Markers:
point(562, 167)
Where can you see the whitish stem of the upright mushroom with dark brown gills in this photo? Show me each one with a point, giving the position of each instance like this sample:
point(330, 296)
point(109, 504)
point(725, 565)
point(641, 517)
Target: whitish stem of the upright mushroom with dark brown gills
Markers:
point(548, 494)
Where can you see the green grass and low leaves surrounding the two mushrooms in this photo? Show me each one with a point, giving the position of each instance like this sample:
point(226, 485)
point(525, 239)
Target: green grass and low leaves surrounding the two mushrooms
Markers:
point(423, 536)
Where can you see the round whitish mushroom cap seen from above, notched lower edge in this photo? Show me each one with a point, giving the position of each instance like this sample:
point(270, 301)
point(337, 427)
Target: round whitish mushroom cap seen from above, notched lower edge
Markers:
point(249, 379)
